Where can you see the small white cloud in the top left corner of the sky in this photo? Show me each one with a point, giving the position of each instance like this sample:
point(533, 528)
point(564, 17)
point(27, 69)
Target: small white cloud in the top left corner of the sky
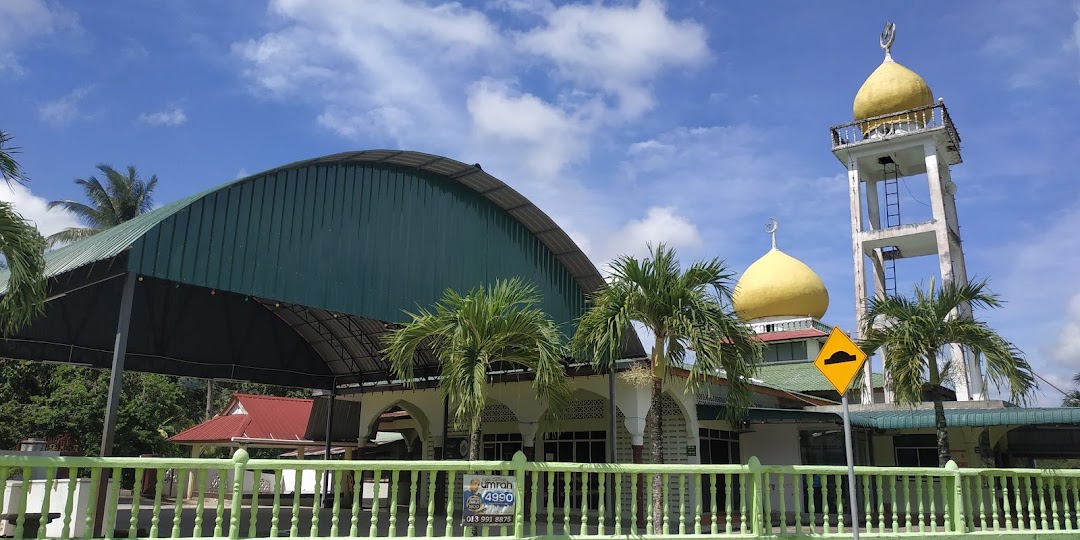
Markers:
point(23, 23)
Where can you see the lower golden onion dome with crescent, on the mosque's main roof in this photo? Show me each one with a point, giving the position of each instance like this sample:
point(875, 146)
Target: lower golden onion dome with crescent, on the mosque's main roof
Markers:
point(779, 286)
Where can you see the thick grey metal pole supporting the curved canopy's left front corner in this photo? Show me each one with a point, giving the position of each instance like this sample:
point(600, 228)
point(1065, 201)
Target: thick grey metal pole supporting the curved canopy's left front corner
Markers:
point(116, 381)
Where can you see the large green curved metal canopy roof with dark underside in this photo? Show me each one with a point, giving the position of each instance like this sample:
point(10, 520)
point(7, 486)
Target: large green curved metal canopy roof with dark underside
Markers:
point(333, 249)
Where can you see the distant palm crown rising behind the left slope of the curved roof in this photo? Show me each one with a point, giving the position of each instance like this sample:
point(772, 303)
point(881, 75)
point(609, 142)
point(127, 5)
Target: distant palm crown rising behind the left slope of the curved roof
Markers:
point(119, 199)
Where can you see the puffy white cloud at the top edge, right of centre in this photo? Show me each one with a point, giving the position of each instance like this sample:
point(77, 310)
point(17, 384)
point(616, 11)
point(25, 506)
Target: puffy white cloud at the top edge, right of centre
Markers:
point(617, 49)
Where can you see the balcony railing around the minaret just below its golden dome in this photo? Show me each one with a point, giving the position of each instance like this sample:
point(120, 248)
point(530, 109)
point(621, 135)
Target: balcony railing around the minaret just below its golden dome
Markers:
point(897, 125)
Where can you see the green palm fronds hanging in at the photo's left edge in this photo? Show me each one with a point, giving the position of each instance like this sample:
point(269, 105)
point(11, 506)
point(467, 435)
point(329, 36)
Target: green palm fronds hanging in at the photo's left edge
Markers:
point(23, 251)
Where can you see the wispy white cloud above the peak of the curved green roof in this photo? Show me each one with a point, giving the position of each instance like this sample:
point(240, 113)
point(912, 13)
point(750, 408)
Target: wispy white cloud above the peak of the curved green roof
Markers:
point(369, 65)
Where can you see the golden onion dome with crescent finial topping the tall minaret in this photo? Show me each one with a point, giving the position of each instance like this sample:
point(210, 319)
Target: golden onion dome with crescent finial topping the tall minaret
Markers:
point(892, 88)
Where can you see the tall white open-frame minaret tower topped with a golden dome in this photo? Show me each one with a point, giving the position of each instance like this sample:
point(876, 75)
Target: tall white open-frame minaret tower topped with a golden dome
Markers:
point(901, 134)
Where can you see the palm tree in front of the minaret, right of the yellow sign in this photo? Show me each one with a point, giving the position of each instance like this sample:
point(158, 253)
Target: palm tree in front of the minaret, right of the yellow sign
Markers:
point(915, 332)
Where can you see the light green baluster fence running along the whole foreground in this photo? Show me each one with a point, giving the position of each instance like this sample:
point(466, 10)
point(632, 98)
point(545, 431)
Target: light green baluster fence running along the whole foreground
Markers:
point(70, 497)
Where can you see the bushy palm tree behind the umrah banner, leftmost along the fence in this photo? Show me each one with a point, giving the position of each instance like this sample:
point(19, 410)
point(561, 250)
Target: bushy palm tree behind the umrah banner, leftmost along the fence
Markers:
point(471, 334)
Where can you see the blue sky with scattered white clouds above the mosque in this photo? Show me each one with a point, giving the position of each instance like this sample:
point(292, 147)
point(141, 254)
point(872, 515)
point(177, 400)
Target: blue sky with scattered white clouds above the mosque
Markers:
point(628, 123)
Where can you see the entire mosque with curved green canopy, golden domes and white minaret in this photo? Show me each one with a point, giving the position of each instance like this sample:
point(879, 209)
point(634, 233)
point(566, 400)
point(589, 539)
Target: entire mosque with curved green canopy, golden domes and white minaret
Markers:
point(294, 276)
